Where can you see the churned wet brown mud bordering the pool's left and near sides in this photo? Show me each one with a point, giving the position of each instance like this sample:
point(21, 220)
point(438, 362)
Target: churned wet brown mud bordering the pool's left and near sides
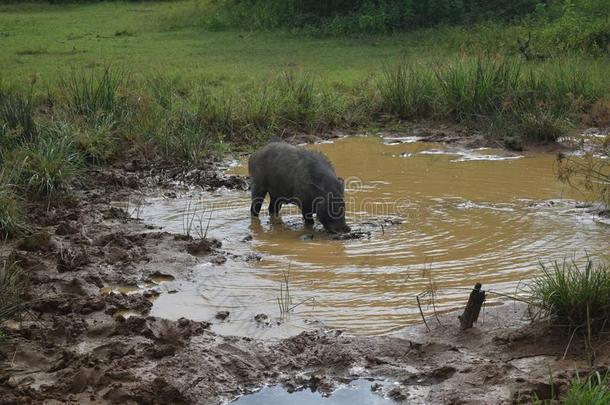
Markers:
point(75, 346)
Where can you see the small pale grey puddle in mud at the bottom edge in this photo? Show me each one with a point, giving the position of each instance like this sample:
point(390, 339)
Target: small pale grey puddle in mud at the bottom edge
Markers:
point(358, 392)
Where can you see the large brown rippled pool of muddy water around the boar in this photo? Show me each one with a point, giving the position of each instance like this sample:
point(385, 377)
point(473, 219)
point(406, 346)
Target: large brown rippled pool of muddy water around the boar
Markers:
point(467, 216)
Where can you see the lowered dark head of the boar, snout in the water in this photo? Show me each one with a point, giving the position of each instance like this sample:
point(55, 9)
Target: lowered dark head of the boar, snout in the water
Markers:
point(330, 207)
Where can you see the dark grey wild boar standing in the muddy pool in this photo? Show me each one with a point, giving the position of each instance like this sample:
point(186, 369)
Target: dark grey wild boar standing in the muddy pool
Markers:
point(293, 175)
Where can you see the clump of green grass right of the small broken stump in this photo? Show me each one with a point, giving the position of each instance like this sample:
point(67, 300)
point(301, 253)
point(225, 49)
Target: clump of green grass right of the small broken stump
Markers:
point(572, 296)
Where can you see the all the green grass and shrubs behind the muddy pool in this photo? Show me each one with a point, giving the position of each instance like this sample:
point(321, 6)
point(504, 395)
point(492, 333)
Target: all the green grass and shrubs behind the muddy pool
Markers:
point(92, 83)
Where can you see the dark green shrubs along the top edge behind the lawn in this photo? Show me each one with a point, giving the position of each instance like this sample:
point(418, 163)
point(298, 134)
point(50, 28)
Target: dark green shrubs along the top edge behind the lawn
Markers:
point(558, 25)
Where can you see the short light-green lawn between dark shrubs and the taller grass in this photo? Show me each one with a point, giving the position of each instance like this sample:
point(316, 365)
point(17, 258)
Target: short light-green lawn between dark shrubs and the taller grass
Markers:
point(150, 38)
